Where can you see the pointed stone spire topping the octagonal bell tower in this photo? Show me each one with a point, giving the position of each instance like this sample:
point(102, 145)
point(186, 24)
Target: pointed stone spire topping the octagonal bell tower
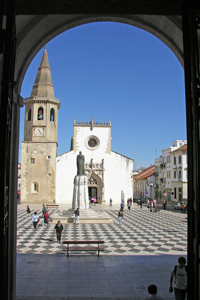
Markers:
point(43, 86)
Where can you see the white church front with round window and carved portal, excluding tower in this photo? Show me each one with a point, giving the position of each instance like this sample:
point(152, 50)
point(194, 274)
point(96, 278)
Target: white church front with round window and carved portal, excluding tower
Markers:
point(109, 173)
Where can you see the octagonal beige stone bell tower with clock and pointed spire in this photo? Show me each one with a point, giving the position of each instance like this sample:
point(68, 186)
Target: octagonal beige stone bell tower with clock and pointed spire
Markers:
point(39, 148)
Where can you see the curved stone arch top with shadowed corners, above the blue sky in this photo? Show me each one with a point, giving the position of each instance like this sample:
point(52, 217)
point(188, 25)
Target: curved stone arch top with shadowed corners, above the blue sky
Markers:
point(33, 32)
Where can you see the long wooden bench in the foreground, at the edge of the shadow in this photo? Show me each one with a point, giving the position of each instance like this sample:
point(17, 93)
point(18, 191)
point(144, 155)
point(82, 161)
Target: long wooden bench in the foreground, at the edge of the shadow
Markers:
point(86, 248)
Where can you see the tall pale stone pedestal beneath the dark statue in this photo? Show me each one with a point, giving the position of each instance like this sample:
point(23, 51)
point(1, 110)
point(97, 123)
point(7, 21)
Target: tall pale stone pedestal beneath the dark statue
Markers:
point(80, 194)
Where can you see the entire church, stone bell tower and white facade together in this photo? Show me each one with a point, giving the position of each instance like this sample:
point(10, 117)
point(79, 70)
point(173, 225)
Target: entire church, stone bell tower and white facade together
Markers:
point(46, 177)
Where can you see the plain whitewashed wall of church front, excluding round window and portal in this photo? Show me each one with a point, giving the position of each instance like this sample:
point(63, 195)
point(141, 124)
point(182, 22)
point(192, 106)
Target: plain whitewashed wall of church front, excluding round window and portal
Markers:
point(118, 169)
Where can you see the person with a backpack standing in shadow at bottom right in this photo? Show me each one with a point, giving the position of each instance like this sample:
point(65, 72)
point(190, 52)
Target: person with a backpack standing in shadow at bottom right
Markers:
point(180, 283)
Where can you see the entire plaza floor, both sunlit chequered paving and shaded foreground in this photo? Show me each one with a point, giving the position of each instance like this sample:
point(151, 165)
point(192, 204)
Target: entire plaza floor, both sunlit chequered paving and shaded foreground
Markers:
point(142, 251)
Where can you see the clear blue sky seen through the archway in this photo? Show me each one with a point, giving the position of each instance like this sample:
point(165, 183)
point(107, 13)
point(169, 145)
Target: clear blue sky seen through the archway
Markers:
point(117, 71)
